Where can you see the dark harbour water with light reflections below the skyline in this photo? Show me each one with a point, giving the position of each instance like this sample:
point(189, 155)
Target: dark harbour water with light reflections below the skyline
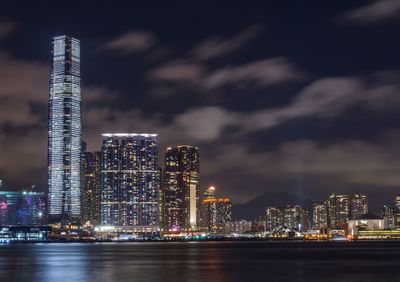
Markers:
point(201, 261)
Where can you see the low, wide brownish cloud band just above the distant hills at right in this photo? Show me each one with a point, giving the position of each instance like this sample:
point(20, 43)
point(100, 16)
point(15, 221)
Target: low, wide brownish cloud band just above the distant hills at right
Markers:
point(304, 166)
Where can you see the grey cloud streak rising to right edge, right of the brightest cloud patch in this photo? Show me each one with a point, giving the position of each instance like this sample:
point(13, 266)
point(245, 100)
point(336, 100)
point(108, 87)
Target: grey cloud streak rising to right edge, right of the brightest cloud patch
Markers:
point(328, 97)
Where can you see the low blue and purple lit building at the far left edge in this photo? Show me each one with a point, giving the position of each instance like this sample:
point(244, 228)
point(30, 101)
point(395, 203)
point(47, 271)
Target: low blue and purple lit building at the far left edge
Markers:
point(22, 208)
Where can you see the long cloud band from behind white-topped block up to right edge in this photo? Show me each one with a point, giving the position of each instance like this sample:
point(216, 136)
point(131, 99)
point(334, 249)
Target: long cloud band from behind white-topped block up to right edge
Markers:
point(325, 97)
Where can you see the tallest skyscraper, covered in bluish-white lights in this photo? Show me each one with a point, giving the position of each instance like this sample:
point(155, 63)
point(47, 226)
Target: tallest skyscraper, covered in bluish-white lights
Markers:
point(64, 133)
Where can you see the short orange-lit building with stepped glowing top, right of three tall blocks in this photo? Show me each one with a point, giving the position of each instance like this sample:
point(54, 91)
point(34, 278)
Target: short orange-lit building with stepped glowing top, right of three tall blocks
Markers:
point(215, 212)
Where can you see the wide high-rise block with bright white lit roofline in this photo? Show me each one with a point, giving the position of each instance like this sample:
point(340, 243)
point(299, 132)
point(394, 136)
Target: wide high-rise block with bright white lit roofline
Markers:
point(130, 180)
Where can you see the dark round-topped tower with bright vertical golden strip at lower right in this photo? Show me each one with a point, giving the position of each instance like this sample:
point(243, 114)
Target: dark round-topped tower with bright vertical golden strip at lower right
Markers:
point(181, 187)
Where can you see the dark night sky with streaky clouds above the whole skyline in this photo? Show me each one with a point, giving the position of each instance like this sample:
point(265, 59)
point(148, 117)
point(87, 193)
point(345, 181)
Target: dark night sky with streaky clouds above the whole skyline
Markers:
point(294, 96)
